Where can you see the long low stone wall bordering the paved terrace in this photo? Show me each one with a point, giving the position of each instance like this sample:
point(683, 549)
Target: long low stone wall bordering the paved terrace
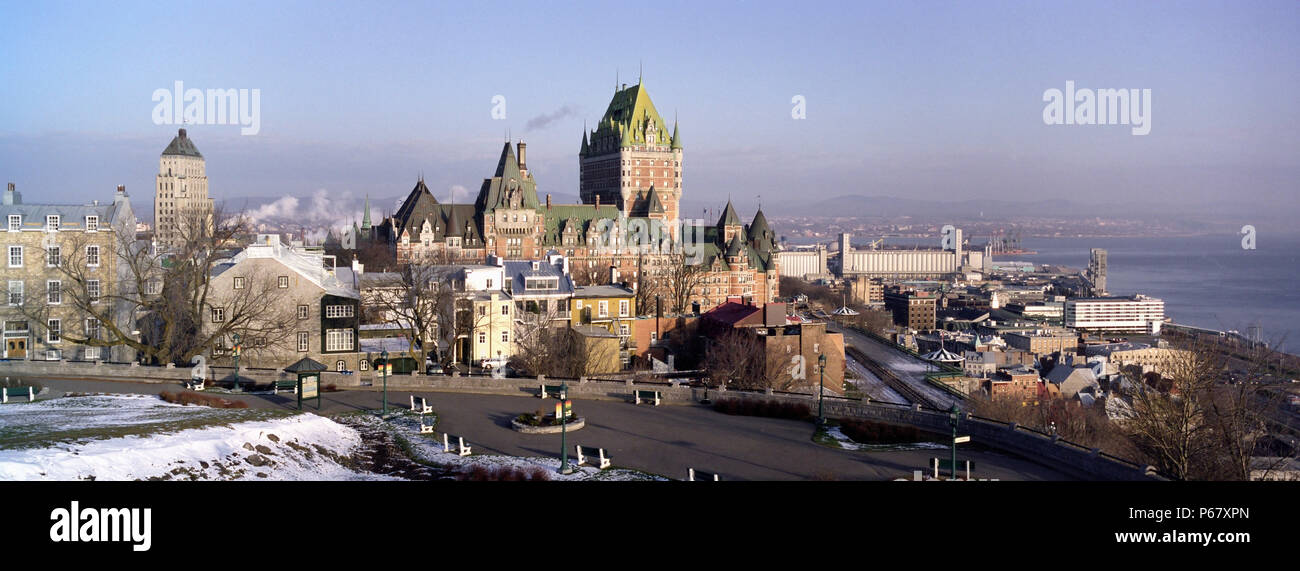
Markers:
point(1059, 455)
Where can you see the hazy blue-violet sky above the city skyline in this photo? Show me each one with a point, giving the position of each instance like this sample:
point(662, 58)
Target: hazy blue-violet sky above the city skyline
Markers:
point(928, 100)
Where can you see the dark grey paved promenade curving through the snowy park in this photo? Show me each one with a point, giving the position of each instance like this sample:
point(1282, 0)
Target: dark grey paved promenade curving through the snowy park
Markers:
point(664, 440)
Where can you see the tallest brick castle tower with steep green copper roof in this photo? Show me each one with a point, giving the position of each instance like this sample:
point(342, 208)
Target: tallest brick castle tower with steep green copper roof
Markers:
point(632, 161)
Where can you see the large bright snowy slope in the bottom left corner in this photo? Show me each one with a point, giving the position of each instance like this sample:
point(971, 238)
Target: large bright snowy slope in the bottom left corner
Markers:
point(131, 438)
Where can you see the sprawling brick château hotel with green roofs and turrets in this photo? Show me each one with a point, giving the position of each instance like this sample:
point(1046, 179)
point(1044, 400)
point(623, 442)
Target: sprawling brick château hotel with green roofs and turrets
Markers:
point(631, 187)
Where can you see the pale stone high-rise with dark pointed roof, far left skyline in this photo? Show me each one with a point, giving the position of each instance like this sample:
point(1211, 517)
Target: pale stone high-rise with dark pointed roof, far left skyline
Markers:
point(181, 197)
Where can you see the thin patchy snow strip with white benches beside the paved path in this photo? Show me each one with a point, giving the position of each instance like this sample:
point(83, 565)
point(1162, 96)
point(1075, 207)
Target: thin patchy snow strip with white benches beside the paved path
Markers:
point(428, 448)
